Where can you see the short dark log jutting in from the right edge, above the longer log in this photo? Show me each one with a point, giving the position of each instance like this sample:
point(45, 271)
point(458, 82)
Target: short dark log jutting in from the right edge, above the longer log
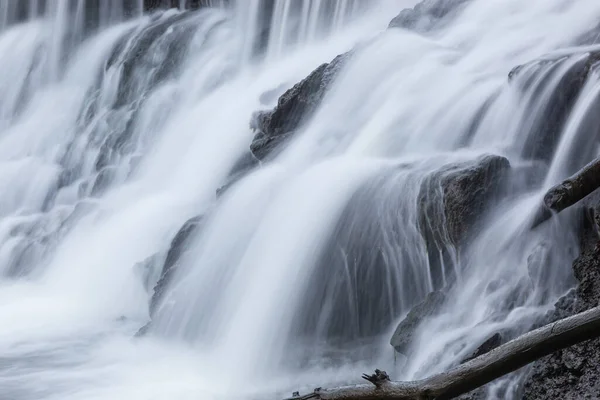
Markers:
point(569, 192)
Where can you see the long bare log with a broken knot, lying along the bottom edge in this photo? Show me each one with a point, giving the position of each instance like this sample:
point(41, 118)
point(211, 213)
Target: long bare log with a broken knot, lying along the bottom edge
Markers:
point(479, 371)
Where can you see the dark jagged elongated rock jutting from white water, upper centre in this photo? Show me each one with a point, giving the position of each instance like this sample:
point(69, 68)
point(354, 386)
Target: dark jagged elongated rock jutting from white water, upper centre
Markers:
point(293, 108)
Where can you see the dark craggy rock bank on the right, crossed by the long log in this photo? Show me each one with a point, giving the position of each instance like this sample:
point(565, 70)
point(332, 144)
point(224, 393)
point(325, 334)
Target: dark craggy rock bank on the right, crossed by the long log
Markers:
point(573, 373)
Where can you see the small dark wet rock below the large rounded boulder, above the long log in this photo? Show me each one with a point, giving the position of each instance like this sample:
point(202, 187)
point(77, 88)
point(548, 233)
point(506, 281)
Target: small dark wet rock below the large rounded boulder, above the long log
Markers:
point(403, 336)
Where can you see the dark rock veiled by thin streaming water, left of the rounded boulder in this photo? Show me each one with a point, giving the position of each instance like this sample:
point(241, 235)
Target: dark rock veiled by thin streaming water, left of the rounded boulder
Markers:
point(373, 266)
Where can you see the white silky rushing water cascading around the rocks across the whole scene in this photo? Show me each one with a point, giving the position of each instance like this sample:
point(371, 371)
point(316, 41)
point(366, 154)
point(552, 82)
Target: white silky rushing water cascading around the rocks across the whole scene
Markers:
point(117, 126)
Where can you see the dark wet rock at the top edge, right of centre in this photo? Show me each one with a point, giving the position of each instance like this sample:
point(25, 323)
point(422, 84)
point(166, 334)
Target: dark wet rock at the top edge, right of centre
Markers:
point(428, 15)
